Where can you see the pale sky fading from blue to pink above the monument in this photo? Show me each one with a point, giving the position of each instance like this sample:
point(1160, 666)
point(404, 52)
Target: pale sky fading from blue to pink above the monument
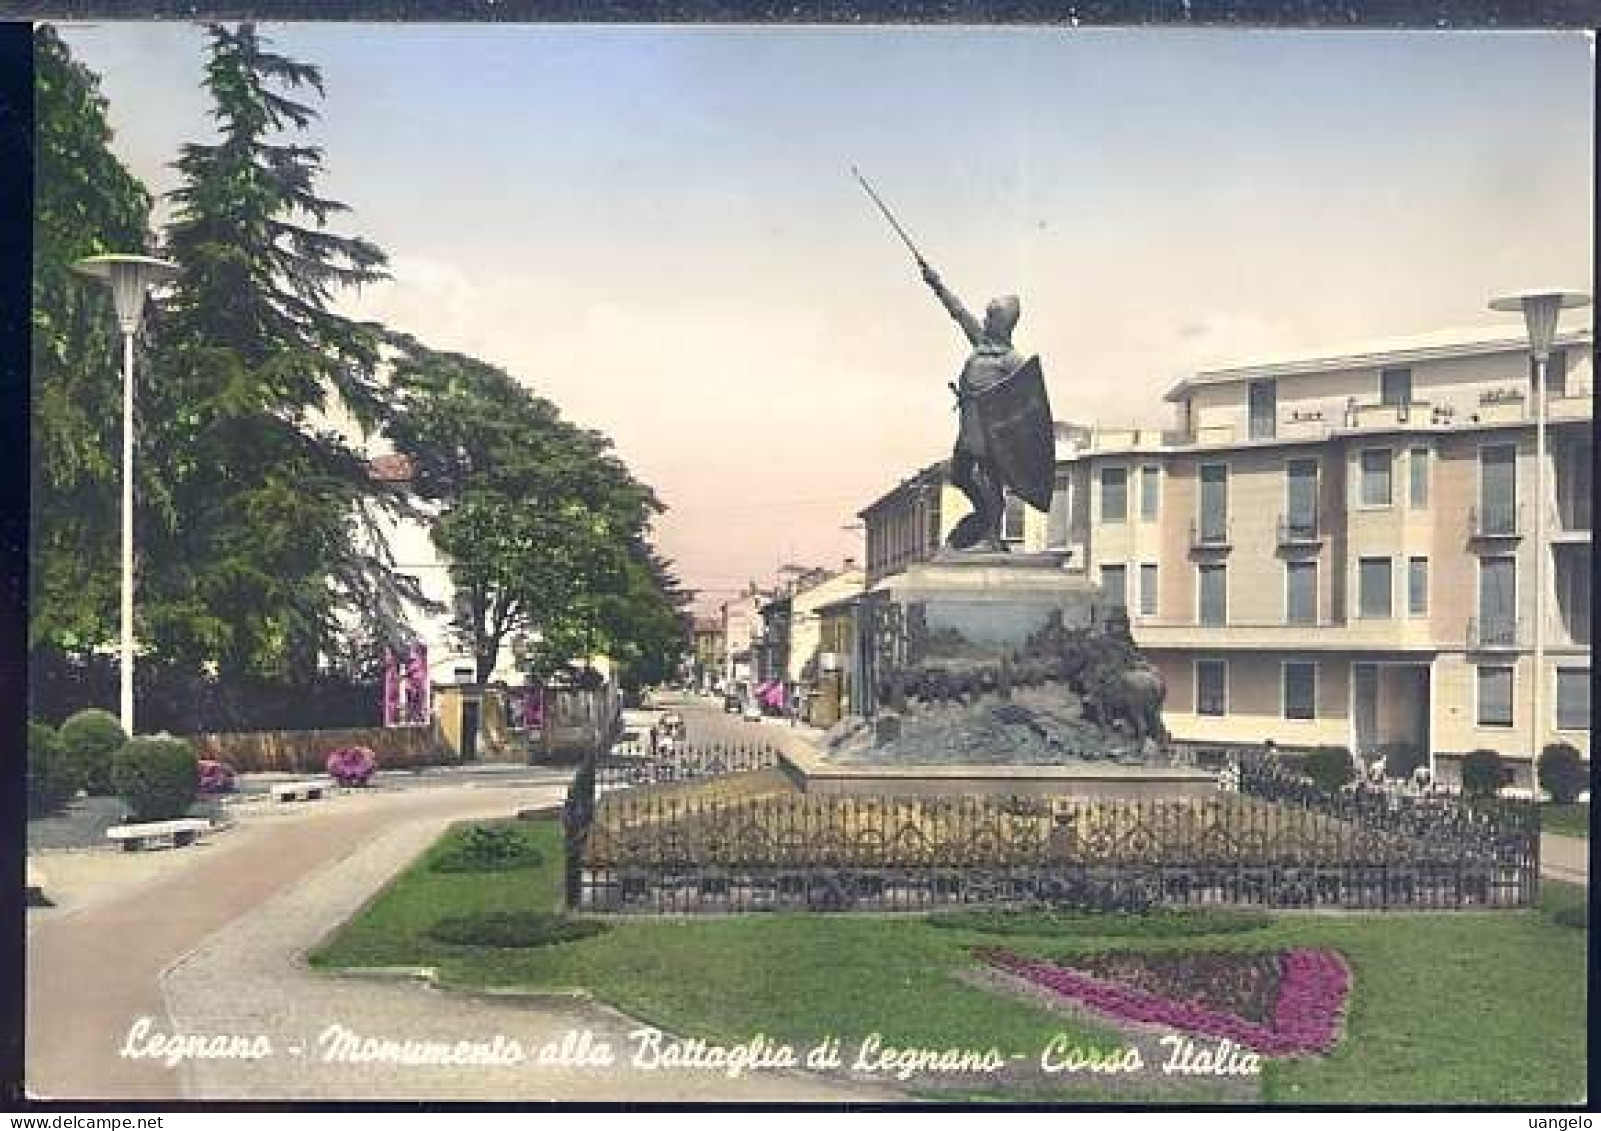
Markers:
point(657, 228)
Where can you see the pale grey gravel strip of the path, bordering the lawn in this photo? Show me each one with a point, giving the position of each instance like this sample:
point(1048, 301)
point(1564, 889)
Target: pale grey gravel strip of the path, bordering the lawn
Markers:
point(251, 980)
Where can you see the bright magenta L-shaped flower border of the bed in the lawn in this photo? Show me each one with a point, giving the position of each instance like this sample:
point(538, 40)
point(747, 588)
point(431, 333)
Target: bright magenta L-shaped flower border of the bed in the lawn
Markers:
point(1314, 986)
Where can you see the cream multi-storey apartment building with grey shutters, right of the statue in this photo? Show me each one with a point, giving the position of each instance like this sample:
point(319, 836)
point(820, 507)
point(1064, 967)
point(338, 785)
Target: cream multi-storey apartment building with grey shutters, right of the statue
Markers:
point(1339, 549)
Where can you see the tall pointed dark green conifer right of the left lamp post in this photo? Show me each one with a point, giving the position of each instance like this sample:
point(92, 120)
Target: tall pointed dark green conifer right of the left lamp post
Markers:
point(267, 520)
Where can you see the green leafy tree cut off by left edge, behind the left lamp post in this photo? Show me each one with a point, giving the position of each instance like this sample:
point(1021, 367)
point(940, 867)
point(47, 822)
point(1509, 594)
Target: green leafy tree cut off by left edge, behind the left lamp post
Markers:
point(86, 204)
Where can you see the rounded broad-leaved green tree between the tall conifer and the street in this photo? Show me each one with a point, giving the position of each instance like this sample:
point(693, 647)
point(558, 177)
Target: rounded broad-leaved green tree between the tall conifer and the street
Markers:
point(544, 526)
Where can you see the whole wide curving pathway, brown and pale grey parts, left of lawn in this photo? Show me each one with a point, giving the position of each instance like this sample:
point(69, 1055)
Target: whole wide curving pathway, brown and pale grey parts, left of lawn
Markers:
point(212, 941)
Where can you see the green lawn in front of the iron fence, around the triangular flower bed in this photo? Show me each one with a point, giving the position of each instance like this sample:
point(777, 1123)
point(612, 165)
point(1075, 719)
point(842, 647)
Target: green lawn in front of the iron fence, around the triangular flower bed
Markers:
point(1447, 1008)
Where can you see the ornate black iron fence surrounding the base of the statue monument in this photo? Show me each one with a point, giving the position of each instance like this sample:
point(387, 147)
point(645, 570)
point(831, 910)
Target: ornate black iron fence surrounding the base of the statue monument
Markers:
point(753, 845)
